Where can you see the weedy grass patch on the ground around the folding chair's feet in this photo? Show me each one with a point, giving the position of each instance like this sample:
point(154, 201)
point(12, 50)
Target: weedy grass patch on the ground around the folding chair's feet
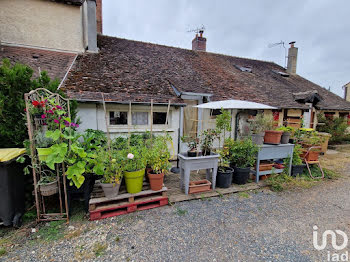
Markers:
point(281, 182)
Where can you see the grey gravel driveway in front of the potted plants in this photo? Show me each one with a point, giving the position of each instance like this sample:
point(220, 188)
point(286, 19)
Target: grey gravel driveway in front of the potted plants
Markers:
point(266, 226)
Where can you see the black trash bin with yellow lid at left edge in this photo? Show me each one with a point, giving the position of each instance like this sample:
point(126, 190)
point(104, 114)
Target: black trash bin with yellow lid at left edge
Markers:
point(12, 201)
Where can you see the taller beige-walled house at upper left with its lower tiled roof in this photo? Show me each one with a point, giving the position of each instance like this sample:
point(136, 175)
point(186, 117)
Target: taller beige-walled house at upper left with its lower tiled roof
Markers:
point(48, 35)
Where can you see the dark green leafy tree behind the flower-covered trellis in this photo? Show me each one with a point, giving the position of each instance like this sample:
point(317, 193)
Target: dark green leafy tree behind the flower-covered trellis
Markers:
point(15, 81)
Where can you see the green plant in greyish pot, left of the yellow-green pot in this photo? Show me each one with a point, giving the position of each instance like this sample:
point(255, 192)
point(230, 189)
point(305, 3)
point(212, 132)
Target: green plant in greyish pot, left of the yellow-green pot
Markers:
point(110, 165)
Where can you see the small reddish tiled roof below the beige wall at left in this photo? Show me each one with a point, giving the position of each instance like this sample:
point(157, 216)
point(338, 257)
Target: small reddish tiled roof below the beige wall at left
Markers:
point(55, 63)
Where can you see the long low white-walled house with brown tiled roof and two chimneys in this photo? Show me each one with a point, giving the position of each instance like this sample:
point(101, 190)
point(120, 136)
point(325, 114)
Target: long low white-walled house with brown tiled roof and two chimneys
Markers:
point(131, 71)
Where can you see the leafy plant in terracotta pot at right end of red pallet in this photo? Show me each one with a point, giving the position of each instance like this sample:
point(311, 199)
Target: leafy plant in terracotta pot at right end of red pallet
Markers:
point(158, 159)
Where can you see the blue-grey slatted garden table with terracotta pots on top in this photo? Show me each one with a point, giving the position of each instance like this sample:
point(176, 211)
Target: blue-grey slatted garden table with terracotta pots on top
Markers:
point(267, 152)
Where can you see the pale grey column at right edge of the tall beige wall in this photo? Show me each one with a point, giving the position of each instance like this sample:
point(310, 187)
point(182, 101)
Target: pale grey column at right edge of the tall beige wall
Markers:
point(91, 26)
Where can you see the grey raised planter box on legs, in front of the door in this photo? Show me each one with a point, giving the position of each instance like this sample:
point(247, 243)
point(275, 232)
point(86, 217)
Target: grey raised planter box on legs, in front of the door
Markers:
point(210, 163)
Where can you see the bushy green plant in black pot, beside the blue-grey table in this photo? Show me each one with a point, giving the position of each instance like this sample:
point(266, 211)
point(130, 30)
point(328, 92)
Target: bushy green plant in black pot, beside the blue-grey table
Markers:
point(242, 155)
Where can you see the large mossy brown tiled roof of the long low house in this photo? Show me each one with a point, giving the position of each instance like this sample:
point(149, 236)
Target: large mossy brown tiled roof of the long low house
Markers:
point(138, 71)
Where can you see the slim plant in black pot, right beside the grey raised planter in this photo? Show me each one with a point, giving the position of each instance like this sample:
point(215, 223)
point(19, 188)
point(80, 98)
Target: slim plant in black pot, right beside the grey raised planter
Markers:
point(225, 172)
